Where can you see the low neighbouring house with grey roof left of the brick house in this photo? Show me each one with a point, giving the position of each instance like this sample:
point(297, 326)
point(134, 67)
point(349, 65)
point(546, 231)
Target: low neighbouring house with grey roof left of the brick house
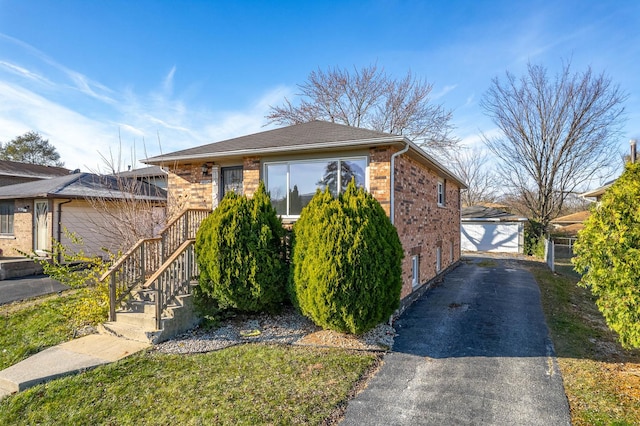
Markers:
point(33, 214)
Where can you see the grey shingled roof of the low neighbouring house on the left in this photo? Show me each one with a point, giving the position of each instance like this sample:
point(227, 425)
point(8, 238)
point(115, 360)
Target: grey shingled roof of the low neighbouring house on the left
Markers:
point(82, 185)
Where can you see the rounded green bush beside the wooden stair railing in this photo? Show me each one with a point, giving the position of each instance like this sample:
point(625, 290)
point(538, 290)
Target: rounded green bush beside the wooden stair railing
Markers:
point(241, 253)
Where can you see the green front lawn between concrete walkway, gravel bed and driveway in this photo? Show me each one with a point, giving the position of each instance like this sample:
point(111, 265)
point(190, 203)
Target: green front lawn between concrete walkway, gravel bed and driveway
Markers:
point(247, 384)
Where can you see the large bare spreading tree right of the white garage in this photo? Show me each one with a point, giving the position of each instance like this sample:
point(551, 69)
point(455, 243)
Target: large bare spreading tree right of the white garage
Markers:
point(558, 133)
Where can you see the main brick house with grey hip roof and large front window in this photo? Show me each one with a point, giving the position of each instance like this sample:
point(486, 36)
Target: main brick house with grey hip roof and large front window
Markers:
point(421, 197)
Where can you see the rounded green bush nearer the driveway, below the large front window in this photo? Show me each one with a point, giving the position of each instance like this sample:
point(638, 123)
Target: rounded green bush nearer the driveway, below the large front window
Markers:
point(346, 262)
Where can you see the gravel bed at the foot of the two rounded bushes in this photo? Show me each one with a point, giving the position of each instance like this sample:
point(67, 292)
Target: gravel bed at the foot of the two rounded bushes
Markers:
point(287, 327)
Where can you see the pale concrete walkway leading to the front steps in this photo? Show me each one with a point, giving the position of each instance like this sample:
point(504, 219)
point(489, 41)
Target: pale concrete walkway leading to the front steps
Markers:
point(67, 358)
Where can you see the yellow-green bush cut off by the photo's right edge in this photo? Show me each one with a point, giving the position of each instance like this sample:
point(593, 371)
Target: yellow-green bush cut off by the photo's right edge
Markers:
point(607, 253)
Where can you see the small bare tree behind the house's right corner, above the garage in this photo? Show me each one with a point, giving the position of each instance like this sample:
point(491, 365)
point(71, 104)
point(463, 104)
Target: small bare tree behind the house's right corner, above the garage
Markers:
point(472, 165)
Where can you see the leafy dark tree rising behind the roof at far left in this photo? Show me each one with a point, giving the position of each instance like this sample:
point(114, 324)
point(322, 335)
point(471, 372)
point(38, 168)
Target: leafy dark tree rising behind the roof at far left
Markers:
point(31, 148)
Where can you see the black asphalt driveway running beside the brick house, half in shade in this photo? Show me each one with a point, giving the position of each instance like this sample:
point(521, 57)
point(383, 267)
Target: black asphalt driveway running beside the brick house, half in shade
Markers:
point(474, 350)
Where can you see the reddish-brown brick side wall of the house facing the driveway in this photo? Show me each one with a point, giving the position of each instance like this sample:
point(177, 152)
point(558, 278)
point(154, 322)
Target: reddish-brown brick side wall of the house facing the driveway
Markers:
point(423, 226)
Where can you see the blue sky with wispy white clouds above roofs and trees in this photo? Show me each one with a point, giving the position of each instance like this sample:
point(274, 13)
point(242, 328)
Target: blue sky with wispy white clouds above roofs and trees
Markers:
point(141, 77)
